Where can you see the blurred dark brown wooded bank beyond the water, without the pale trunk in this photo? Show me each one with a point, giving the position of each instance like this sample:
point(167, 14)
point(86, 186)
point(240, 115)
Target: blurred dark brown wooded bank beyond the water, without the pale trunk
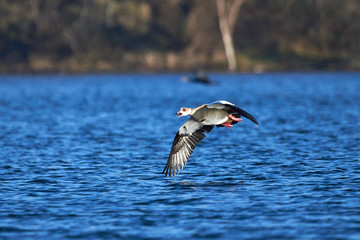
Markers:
point(177, 35)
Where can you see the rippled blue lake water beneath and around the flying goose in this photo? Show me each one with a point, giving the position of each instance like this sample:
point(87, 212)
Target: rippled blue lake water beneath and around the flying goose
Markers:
point(81, 158)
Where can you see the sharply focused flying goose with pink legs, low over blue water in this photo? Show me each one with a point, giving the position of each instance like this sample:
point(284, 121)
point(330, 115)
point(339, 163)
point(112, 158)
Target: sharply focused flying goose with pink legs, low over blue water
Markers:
point(202, 120)
